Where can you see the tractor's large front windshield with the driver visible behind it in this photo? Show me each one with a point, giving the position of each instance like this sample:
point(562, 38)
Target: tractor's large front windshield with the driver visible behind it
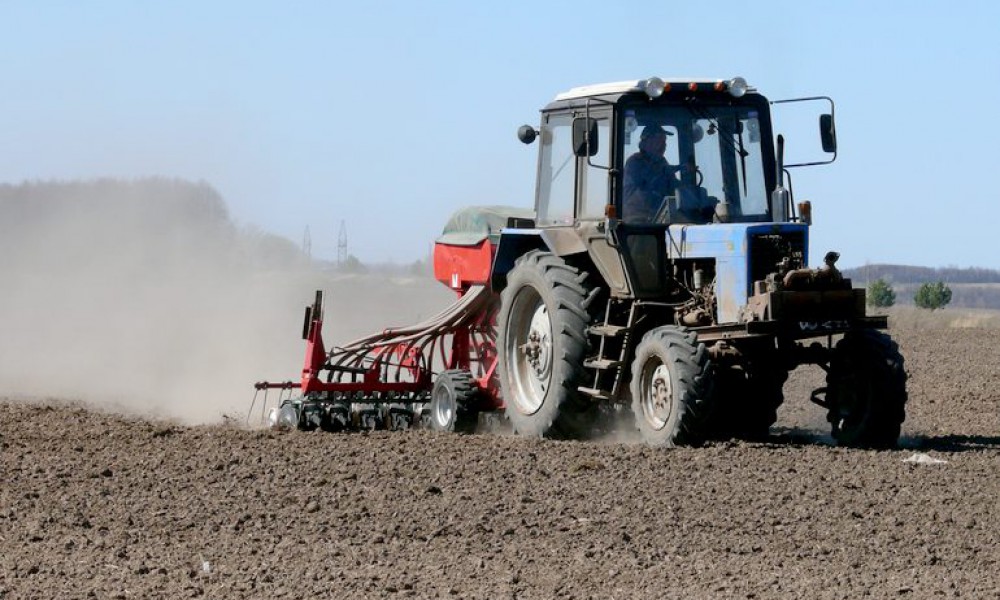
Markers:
point(693, 164)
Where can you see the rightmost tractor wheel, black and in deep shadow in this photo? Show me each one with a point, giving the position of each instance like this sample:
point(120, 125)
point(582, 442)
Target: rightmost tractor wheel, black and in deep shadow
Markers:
point(866, 391)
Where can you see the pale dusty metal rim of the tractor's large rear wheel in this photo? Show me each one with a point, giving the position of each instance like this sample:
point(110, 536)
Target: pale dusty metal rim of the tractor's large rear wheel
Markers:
point(529, 351)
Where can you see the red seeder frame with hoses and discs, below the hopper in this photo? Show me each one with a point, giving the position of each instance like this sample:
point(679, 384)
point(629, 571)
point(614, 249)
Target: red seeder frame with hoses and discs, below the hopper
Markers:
point(385, 380)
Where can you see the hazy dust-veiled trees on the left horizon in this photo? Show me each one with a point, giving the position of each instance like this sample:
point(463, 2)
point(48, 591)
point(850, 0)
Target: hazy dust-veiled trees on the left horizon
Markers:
point(158, 223)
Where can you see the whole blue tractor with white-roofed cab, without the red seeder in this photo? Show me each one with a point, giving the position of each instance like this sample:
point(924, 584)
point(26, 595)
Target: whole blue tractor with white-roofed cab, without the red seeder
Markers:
point(666, 270)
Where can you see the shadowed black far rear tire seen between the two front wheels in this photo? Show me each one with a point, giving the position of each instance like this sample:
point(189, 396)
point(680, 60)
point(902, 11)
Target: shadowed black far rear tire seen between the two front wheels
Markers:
point(746, 402)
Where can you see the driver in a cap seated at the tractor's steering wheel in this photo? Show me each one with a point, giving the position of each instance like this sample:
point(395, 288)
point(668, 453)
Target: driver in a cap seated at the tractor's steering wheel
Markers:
point(648, 176)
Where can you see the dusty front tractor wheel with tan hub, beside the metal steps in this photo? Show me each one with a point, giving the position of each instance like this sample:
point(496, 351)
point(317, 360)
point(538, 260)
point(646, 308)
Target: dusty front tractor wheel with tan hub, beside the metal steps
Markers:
point(671, 387)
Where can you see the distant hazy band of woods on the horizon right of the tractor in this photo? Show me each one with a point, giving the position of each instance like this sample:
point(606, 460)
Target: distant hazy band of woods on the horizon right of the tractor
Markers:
point(971, 288)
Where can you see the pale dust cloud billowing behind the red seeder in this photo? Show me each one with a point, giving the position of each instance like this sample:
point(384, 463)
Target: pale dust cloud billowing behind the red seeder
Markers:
point(144, 297)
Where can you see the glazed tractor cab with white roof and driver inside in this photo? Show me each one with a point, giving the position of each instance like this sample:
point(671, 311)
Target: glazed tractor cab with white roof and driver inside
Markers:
point(657, 152)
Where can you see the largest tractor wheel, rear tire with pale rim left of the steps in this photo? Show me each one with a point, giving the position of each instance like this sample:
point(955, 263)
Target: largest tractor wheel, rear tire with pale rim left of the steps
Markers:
point(542, 343)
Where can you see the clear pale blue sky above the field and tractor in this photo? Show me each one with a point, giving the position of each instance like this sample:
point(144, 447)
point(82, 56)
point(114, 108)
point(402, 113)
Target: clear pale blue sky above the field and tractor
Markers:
point(391, 115)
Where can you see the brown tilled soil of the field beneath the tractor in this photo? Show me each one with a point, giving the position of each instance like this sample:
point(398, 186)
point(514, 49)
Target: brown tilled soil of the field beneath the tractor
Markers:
point(98, 505)
